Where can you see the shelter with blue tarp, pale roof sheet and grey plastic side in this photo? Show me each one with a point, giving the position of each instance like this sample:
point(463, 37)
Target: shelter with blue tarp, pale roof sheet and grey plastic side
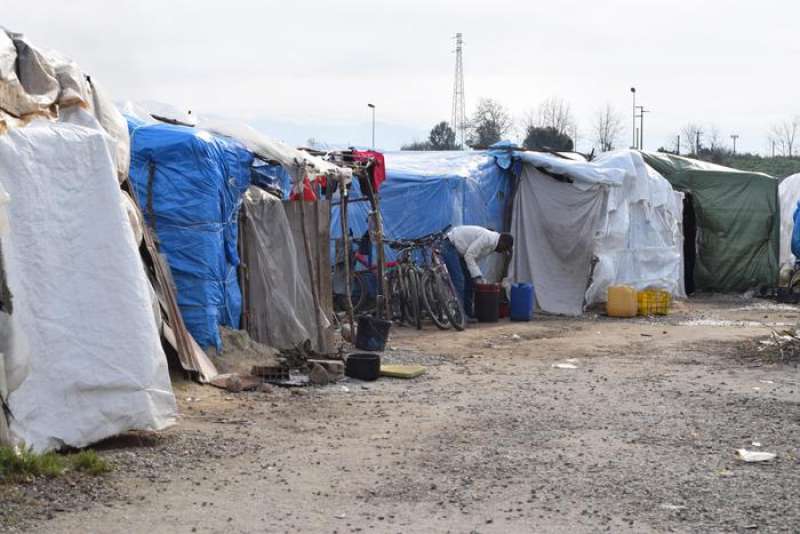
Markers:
point(220, 159)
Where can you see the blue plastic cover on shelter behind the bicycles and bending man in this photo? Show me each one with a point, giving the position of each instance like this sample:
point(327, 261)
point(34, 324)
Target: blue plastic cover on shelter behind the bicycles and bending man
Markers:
point(427, 191)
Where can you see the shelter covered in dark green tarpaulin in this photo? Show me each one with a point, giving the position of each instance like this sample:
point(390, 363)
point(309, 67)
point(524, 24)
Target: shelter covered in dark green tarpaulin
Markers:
point(731, 223)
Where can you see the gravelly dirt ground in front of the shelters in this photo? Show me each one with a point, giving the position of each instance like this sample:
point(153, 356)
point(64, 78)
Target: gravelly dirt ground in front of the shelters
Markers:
point(640, 436)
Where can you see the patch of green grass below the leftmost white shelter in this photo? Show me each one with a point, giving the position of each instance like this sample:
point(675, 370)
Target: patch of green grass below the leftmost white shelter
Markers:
point(18, 467)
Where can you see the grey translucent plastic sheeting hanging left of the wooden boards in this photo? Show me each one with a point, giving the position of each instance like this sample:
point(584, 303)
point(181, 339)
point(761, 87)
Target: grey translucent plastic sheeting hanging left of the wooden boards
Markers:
point(279, 301)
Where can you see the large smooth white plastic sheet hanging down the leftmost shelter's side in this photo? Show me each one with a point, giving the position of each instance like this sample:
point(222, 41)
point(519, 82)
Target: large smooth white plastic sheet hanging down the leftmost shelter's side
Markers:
point(81, 298)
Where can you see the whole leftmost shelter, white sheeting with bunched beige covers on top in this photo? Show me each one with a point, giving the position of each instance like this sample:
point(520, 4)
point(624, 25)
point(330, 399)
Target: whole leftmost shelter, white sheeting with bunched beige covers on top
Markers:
point(81, 356)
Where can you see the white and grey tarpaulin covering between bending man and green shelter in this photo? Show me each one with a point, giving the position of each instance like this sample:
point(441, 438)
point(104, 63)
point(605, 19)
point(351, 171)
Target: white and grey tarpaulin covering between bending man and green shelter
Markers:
point(615, 212)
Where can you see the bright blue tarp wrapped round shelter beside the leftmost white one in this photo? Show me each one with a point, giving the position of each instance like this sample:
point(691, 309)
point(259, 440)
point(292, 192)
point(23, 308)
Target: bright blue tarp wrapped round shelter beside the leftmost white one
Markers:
point(193, 203)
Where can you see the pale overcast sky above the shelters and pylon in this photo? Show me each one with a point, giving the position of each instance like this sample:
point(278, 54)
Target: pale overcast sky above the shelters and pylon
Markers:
point(300, 70)
